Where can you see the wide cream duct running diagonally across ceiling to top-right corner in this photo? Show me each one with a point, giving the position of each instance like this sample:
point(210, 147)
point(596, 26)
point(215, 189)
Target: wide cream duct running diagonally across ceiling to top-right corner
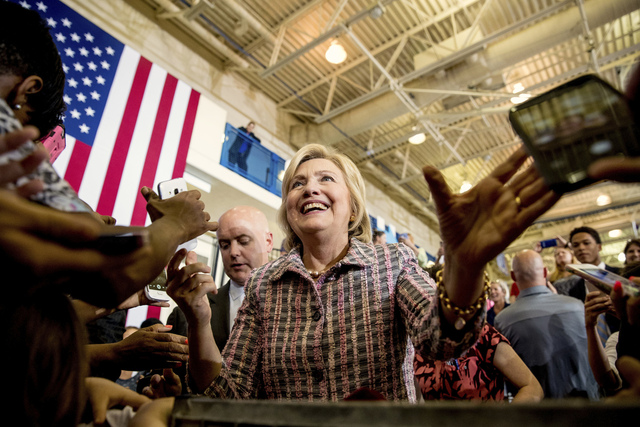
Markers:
point(496, 56)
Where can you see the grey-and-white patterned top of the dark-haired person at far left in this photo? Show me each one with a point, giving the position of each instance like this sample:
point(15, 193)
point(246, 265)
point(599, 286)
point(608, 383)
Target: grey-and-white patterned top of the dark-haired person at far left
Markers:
point(57, 193)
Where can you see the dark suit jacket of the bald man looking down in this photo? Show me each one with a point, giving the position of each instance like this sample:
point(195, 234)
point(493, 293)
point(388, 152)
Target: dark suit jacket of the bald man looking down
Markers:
point(220, 322)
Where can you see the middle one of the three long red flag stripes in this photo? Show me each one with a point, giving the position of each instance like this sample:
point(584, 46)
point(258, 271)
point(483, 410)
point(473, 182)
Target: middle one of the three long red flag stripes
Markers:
point(155, 147)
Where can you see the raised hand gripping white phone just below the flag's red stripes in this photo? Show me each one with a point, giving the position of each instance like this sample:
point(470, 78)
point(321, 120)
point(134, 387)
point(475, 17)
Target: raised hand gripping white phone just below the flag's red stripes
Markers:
point(185, 209)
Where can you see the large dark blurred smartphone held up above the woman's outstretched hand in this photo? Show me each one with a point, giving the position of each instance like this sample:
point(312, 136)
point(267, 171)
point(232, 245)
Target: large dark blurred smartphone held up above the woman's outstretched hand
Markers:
point(571, 126)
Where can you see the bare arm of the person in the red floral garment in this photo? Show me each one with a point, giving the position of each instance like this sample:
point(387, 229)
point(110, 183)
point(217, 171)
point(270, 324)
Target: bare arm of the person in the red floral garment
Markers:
point(514, 369)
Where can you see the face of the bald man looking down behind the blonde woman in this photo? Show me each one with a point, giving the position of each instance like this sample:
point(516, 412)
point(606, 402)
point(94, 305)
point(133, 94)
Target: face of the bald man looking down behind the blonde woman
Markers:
point(244, 246)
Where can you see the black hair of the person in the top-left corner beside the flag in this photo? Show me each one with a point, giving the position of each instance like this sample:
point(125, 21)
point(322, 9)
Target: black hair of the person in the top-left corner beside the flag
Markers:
point(27, 49)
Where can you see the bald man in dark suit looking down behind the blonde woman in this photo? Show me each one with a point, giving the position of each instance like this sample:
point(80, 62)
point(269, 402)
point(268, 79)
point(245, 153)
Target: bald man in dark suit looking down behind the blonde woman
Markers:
point(245, 243)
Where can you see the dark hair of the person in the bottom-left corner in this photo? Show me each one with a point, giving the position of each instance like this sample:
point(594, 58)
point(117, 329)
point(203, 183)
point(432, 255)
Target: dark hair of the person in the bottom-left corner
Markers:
point(45, 366)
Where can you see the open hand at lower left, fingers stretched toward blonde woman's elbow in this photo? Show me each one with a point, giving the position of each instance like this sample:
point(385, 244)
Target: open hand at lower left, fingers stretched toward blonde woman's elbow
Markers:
point(151, 348)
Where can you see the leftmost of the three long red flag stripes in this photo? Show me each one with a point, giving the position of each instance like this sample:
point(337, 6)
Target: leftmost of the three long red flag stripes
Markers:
point(123, 140)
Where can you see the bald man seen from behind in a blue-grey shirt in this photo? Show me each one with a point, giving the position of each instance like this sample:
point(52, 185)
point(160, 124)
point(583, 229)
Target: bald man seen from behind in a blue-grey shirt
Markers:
point(548, 332)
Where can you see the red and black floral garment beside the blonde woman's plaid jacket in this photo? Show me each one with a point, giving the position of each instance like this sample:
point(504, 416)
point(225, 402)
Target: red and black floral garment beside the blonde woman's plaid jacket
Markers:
point(470, 377)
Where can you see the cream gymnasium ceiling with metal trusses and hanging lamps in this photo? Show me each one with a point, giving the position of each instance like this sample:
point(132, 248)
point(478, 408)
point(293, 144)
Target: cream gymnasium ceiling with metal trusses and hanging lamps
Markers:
point(445, 68)
